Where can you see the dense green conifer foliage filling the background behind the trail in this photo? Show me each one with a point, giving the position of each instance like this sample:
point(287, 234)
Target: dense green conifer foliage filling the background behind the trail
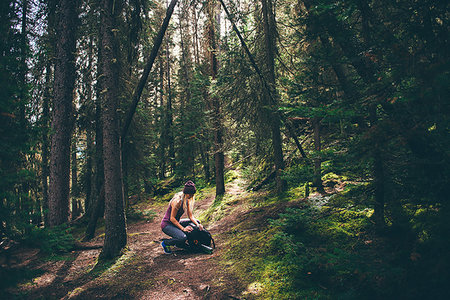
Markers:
point(317, 93)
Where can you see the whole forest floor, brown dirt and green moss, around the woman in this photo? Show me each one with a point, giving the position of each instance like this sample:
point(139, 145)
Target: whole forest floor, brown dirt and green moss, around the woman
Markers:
point(269, 247)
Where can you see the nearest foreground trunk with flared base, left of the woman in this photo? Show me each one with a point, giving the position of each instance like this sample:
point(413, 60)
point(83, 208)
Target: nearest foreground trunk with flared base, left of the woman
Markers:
point(115, 224)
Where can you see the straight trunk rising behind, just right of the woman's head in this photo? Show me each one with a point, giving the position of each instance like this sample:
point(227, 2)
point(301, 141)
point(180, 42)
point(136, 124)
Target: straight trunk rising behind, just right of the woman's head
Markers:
point(219, 160)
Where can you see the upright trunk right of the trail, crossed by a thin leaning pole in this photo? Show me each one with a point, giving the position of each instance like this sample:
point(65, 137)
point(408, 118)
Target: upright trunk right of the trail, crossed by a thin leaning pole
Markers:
point(275, 123)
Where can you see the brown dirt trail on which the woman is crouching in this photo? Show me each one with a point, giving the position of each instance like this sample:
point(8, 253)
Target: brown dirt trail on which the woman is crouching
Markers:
point(144, 272)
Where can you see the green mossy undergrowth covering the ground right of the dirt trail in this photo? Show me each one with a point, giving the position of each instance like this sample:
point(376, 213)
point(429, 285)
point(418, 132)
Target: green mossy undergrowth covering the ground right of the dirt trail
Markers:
point(308, 252)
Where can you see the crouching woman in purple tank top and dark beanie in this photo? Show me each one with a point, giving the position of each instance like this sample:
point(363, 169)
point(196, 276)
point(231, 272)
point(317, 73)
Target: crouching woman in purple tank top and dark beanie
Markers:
point(173, 225)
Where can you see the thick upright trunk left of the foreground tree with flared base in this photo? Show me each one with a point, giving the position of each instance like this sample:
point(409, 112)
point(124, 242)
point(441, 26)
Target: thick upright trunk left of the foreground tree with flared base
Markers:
point(62, 112)
